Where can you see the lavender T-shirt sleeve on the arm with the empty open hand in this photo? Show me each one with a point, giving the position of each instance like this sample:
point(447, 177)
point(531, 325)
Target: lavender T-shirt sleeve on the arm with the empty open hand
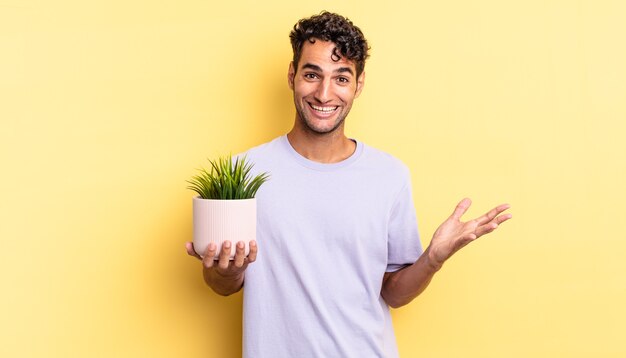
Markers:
point(403, 242)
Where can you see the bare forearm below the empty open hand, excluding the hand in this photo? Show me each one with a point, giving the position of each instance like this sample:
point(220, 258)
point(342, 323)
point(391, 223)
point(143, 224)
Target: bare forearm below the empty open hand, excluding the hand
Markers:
point(401, 287)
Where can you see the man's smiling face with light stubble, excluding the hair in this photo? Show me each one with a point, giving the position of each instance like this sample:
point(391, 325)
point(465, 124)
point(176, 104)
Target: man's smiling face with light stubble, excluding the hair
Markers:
point(323, 89)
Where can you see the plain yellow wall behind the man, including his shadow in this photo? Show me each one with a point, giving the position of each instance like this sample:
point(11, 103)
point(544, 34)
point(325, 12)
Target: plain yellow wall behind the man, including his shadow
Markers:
point(107, 107)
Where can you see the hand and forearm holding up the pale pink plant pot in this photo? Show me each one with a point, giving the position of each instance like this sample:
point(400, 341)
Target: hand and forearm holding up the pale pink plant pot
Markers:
point(225, 276)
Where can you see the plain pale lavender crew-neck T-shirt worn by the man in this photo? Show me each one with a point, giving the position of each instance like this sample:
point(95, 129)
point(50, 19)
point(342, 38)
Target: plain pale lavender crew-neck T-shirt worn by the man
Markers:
point(327, 233)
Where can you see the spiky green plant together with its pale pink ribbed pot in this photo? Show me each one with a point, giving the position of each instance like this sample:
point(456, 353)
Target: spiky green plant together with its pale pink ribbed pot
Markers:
point(225, 208)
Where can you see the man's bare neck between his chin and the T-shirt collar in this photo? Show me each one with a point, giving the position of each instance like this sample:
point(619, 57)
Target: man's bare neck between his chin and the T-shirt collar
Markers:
point(322, 148)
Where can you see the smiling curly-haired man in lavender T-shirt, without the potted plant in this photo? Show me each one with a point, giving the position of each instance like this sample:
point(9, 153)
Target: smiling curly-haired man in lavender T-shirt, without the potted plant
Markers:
point(337, 234)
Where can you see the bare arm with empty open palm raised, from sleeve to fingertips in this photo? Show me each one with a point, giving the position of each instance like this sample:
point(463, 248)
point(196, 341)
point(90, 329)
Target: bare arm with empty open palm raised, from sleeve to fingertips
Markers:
point(402, 286)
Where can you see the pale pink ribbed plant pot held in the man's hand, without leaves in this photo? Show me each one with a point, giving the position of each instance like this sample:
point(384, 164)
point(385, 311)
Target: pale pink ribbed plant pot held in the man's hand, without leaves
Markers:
point(220, 220)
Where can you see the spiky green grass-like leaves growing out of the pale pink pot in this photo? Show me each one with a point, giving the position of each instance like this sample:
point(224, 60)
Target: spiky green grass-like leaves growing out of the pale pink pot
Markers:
point(227, 180)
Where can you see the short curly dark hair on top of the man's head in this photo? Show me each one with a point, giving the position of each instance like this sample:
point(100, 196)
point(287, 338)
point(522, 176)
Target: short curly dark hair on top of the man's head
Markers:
point(327, 26)
